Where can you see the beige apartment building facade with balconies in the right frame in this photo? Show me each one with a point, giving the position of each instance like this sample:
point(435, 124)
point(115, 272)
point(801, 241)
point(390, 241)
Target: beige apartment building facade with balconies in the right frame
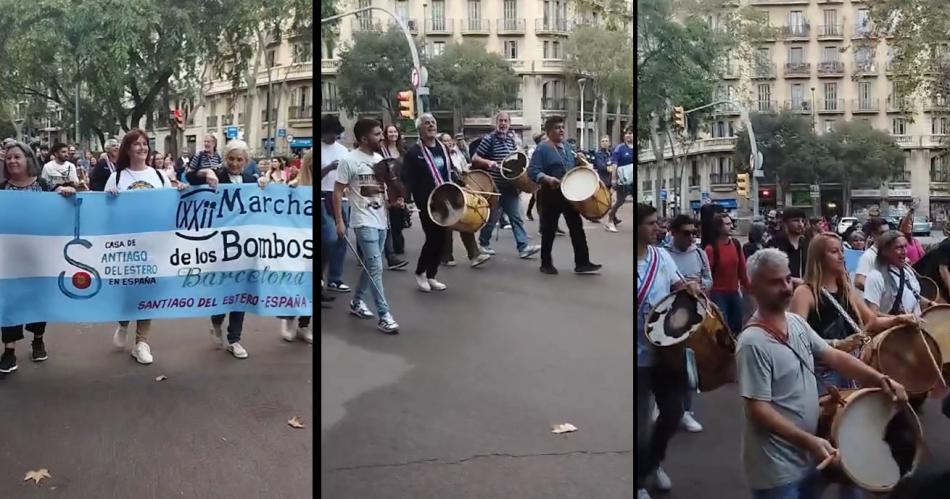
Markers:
point(818, 64)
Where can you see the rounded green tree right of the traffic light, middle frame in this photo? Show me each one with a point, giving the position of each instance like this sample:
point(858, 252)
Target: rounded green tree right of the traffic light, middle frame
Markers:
point(469, 79)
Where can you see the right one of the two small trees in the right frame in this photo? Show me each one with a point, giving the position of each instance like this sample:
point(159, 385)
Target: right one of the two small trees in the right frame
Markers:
point(858, 151)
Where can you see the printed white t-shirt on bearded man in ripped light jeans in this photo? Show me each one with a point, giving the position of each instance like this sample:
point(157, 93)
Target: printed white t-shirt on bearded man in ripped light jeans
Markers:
point(366, 195)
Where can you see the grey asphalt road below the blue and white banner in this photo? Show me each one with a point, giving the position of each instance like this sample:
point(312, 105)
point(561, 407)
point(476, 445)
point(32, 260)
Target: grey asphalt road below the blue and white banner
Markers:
point(104, 428)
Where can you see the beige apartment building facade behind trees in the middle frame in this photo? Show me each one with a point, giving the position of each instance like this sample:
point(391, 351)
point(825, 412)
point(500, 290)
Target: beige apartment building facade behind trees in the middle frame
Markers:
point(531, 35)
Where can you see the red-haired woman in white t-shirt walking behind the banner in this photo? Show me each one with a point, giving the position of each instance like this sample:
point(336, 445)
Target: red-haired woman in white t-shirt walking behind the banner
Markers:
point(133, 173)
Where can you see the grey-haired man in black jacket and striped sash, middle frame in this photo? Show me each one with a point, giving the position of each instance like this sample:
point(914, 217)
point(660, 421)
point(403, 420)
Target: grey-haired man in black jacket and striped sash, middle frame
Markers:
point(427, 165)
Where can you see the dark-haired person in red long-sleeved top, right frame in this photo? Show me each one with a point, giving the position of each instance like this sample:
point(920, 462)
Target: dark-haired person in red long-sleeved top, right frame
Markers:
point(729, 273)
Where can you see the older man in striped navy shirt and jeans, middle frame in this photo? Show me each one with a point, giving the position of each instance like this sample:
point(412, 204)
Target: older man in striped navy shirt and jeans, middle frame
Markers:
point(491, 151)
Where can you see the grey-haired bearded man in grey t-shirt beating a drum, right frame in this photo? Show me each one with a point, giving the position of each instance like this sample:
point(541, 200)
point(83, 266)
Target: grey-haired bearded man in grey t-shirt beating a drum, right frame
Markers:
point(776, 356)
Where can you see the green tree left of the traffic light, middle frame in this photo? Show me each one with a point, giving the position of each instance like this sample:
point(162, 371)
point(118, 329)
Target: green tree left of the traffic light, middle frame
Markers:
point(373, 69)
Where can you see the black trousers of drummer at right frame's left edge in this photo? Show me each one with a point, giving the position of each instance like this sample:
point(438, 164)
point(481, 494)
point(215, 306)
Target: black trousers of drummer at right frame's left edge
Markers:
point(668, 388)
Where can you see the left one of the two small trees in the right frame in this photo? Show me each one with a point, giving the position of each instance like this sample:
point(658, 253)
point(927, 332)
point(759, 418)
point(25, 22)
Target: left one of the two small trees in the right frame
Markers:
point(790, 149)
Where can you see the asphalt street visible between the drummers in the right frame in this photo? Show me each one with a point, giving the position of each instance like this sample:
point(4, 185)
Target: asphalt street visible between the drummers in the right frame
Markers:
point(707, 465)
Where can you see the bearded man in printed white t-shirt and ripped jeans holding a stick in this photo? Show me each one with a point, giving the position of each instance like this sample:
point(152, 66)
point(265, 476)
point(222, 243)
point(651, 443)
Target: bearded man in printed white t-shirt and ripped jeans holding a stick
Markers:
point(369, 218)
